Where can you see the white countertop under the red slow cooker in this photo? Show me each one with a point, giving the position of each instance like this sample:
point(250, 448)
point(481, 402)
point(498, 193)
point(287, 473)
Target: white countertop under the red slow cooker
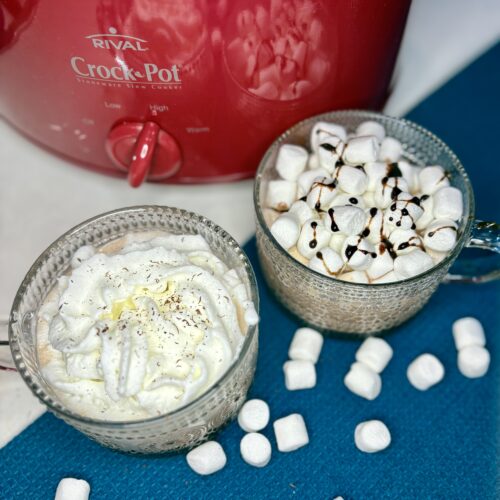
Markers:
point(42, 195)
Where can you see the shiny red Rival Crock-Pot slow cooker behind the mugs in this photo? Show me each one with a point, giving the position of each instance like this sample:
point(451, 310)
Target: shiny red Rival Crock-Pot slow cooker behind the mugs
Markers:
point(187, 90)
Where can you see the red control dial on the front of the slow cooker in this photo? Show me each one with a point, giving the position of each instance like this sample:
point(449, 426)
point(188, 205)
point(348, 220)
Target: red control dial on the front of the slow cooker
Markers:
point(144, 150)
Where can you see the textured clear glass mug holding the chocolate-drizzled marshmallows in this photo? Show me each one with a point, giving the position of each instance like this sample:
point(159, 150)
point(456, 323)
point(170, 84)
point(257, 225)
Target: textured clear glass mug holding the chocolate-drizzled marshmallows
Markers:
point(331, 304)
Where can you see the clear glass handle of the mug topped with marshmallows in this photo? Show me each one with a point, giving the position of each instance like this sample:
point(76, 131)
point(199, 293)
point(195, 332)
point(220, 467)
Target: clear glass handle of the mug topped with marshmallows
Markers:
point(485, 236)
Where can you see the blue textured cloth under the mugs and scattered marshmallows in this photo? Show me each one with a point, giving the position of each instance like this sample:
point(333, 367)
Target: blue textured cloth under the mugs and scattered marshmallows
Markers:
point(445, 440)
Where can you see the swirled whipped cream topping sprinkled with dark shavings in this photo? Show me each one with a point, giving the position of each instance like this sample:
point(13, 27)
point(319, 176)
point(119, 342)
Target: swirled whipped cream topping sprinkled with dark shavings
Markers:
point(142, 326)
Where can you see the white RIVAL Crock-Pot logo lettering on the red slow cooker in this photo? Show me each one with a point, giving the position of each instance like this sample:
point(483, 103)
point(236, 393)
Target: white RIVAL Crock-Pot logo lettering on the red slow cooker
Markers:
point(145, 75)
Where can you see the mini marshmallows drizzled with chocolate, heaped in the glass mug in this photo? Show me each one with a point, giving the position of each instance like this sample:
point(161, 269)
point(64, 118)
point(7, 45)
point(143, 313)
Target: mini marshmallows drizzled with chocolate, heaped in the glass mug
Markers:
point(354, 210)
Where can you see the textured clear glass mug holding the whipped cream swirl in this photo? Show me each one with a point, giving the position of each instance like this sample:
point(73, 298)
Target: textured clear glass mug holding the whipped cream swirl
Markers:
point(183, 427)
